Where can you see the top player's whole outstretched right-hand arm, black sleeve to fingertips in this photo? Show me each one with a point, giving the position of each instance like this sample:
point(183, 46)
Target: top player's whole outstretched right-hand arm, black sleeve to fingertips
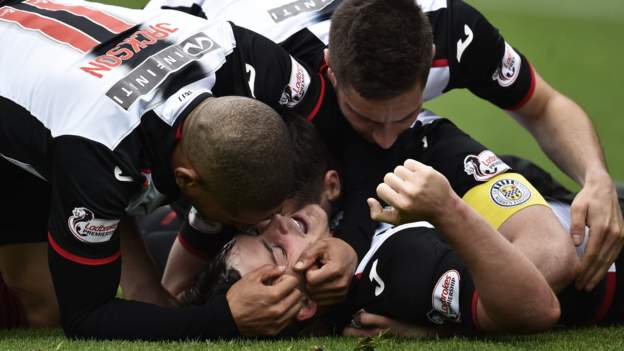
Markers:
point(495, 71)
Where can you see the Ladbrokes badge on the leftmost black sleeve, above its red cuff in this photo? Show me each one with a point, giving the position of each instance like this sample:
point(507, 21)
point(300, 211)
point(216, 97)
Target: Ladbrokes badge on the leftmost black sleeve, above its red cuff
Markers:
point(86, 228)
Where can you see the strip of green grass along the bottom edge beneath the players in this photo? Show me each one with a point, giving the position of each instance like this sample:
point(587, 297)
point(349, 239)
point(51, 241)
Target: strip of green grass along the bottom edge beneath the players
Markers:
point(581, 339)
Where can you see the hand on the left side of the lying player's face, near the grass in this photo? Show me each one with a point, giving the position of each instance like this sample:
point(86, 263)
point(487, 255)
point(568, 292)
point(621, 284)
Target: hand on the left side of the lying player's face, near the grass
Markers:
point(264, 301)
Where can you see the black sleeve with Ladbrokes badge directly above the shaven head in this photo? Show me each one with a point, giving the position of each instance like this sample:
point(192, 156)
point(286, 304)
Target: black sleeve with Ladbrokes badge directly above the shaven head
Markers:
point(271, 75)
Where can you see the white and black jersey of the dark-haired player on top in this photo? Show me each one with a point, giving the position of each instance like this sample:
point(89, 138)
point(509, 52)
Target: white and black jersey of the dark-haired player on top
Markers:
point(470, 52)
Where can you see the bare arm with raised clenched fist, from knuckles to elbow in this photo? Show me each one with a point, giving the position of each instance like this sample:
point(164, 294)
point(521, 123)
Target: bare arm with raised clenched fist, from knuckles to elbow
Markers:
point(418, 192)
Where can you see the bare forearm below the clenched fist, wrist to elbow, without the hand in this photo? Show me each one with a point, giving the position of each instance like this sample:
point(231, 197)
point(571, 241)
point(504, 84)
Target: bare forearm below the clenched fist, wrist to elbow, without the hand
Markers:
point(501, 273)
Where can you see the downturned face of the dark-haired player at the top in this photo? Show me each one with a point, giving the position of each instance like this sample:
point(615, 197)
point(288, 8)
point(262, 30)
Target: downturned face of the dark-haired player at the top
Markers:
point(380, 121)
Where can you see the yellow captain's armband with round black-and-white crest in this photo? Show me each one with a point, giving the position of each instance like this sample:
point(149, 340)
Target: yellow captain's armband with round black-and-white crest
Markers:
point(502, 196)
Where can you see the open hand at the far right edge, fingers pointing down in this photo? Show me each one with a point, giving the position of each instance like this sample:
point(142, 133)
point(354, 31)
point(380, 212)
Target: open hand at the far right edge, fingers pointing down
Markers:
point(597, 207)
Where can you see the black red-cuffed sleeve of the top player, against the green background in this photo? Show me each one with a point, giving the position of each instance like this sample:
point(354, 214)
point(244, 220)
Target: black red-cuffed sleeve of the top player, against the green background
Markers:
point(482, 61)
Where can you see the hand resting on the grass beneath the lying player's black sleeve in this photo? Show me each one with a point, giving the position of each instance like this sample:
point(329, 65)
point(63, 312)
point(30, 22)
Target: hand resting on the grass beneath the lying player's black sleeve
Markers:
point(369, 324)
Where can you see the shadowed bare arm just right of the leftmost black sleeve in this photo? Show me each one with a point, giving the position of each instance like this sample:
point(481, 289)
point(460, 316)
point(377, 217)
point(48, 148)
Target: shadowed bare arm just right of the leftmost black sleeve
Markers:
point(139, 279)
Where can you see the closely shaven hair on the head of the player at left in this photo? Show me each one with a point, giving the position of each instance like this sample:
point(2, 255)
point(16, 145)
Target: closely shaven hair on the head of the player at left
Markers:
point(241, 149)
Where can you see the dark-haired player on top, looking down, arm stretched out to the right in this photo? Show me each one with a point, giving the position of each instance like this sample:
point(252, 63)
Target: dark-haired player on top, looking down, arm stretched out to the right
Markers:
point(377, 53)
